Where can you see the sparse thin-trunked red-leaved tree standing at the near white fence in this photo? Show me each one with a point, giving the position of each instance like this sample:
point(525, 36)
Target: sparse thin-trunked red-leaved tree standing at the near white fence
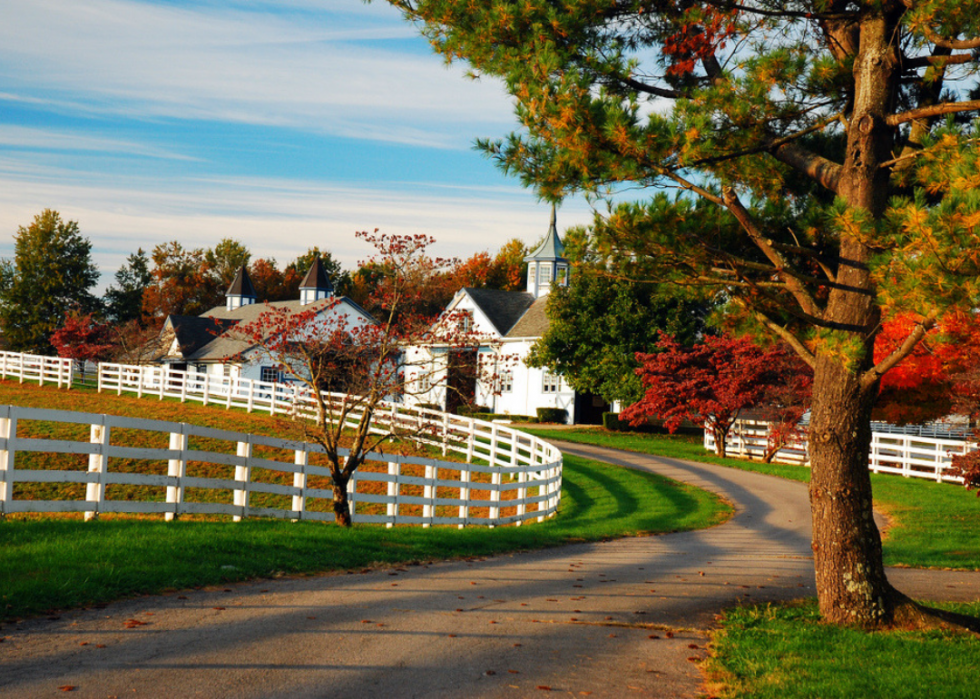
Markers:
point(351, 367)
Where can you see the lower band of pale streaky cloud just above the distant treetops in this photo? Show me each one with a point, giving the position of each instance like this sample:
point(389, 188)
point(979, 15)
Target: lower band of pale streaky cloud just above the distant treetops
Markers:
point(274, 218)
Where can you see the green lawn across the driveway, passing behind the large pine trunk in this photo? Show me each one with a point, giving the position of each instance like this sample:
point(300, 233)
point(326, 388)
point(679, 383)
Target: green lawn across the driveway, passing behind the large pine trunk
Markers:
point(931, 525)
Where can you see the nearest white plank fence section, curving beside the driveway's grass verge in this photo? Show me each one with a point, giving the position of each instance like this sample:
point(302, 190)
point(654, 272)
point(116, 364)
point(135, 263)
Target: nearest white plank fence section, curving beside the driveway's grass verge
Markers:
point(517, 462)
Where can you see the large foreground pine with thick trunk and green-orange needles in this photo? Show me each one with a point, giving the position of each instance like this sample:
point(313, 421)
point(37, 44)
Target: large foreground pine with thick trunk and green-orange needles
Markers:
point(829, 137)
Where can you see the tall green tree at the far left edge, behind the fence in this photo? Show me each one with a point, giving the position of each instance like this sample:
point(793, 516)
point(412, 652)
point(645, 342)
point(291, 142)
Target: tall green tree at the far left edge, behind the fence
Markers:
point(52, 273)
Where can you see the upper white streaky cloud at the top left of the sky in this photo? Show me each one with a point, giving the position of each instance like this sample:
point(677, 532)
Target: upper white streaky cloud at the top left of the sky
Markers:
point(230, 64)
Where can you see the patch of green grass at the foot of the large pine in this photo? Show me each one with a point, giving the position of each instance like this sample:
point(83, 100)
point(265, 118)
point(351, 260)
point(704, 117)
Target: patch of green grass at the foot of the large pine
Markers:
point(785, 652)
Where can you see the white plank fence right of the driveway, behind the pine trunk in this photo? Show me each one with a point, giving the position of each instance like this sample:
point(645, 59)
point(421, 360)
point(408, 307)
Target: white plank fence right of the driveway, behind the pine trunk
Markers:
point(917, 451)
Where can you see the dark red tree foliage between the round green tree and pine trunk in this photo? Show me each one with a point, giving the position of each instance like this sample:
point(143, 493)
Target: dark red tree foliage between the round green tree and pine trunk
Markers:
point(710, 383)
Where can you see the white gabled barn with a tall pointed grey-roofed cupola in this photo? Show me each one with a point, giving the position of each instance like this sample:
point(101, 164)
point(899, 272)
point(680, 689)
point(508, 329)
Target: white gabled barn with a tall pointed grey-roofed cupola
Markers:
point(511, 322)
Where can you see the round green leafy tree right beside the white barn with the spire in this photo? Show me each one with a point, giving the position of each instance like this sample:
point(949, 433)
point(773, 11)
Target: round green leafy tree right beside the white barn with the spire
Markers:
point(603, 318)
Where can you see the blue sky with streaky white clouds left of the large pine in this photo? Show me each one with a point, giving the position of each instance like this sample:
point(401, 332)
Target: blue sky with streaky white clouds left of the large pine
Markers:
point(283, 124)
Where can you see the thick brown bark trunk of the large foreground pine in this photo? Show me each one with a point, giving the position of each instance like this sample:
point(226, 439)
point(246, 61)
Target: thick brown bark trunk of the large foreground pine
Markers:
point(850, 575)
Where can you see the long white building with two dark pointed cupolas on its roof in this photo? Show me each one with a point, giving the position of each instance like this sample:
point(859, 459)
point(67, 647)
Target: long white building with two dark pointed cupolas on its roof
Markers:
point(208, 344)
